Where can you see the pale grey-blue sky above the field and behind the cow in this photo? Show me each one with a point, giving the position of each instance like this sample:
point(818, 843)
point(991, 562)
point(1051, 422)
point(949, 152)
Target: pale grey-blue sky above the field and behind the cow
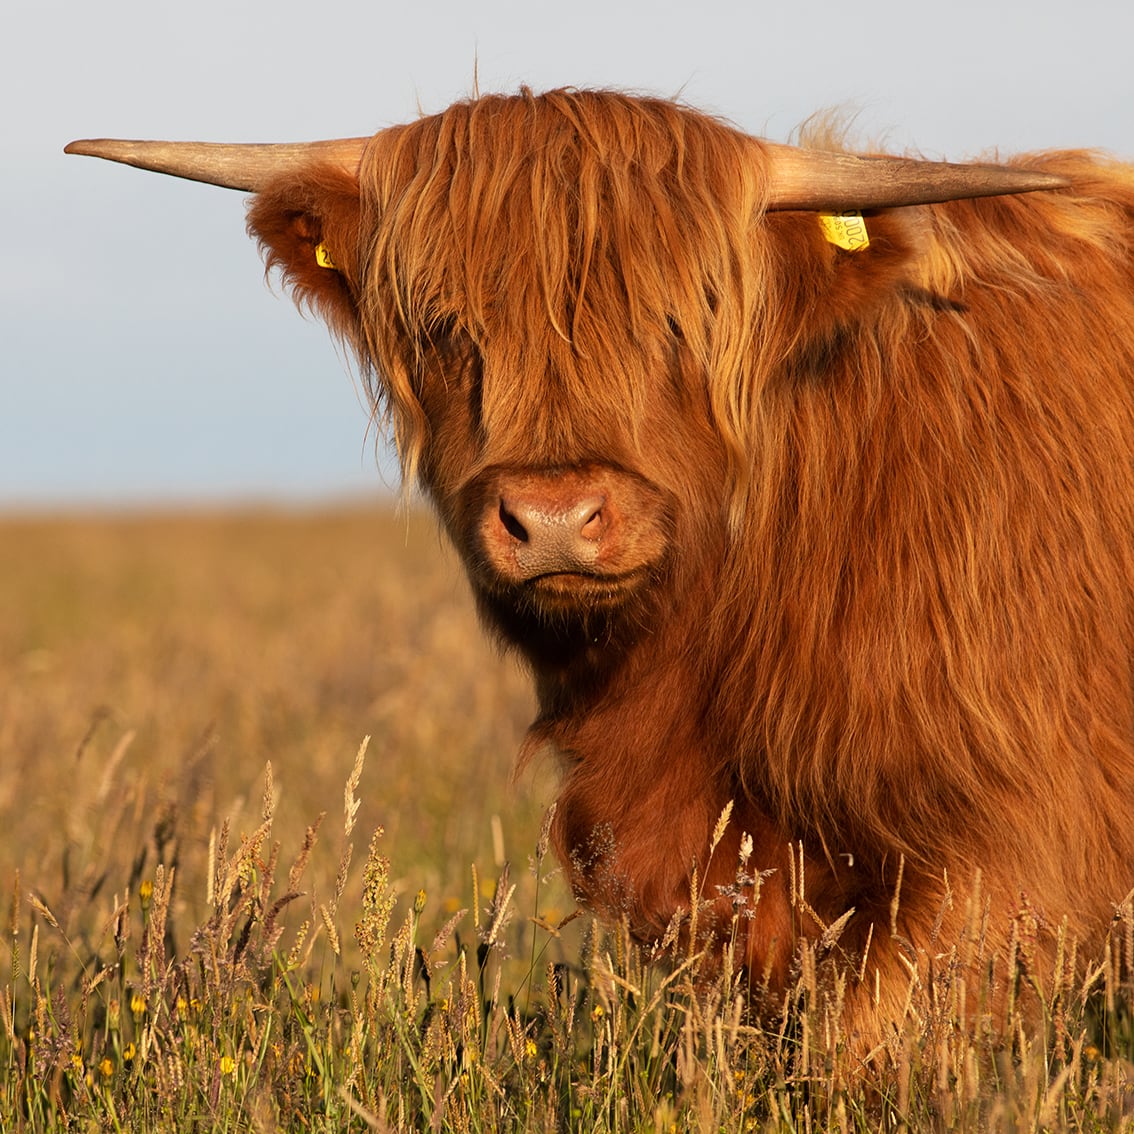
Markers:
point(145, 361)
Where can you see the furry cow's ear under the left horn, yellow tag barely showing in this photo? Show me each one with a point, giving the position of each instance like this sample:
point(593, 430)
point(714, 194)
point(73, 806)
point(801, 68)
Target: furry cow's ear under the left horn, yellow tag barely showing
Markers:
point(308, 227)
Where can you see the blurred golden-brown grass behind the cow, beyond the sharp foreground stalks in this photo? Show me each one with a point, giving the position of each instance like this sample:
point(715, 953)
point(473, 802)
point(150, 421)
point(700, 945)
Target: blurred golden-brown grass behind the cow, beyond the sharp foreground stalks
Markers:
point(153, 665)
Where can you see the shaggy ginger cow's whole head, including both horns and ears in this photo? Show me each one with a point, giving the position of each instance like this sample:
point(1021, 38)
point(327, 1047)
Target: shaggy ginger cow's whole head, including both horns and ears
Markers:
point(571, 307)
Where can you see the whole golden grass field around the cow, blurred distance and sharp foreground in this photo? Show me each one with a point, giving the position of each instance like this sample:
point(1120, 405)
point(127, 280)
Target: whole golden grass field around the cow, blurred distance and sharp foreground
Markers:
point(190, 947)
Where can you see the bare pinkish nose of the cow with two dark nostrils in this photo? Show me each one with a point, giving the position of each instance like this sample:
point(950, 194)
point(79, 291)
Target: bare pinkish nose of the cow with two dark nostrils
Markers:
point(554, 535)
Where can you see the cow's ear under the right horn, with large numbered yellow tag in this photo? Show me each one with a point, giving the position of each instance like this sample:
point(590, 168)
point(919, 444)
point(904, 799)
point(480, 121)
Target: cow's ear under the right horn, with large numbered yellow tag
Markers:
point(839, 274)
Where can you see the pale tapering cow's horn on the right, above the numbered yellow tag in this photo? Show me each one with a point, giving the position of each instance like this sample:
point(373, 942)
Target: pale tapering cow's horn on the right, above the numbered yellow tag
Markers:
point(815, 180)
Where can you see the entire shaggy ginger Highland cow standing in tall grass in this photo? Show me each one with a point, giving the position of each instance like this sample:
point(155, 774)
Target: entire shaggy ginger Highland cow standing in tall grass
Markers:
point(841, 534)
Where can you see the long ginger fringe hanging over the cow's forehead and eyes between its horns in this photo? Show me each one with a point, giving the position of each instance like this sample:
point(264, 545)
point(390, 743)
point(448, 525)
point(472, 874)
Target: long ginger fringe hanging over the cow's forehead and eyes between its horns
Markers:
point(554, 232)
